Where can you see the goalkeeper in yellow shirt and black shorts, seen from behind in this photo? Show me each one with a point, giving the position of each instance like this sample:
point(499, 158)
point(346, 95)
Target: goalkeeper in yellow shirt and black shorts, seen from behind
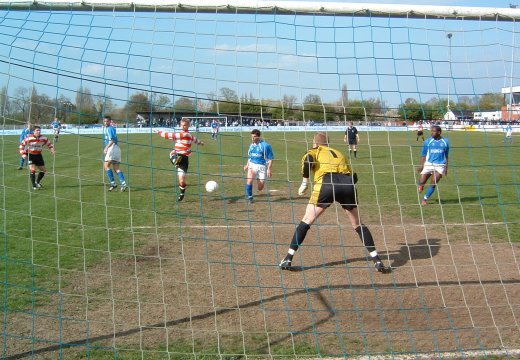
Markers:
point(333, 181)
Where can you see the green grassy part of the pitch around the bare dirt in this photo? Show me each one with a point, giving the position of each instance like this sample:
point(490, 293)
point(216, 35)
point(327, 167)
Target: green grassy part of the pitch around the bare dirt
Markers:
point(74, 224)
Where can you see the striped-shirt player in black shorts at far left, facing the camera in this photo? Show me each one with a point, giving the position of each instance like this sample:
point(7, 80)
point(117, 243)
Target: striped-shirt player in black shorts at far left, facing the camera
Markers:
point(31, 148)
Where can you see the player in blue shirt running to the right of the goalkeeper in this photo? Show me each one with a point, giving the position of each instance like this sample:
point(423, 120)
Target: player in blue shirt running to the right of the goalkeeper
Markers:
point(434, 161)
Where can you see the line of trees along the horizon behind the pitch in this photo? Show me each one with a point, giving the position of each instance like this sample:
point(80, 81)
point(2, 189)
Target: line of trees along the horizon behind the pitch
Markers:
point(87, 108)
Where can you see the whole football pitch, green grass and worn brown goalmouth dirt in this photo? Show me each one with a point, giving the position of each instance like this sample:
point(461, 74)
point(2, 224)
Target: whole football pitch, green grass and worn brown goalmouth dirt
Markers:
point(137, 274)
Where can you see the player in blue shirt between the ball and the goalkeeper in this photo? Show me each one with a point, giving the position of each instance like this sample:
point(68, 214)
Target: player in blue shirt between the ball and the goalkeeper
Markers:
point(259, 163)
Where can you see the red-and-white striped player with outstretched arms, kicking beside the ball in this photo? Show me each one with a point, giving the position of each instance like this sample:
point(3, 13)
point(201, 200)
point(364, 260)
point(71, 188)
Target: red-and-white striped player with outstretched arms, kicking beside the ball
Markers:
point(182, 150)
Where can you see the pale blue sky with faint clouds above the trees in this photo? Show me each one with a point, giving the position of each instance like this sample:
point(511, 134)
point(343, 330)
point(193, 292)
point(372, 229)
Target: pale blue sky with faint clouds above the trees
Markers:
point(263, 56)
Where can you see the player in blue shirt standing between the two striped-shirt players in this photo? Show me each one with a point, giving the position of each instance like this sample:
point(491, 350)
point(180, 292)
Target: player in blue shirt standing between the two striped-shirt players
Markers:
point(112, 155)
